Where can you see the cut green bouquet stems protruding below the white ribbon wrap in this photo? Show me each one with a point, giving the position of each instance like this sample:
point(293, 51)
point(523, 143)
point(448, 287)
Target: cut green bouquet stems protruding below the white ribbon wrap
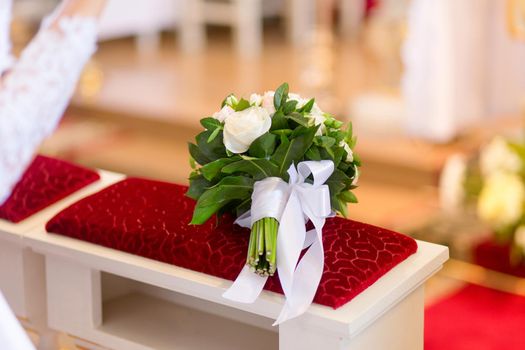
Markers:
point(262, 249)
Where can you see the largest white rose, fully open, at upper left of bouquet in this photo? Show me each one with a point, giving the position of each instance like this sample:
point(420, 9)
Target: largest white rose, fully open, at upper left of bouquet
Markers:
point(242, 128)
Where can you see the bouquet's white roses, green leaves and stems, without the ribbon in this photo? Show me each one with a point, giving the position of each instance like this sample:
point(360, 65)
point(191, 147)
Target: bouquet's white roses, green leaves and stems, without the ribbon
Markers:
point(247, 141)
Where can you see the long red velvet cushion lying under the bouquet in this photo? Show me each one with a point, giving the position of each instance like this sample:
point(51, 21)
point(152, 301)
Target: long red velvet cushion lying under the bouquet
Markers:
point(150, 219)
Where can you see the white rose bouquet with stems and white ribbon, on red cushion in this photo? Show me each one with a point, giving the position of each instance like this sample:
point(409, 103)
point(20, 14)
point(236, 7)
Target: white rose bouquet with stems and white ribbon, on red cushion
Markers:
point(274, 161)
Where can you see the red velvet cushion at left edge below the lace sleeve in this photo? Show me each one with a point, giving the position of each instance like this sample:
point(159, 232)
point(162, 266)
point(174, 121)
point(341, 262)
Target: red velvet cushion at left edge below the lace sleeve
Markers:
point(45, 182)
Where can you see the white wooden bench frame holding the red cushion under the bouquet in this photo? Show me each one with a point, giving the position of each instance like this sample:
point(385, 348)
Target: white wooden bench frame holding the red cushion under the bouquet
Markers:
point(106, 298)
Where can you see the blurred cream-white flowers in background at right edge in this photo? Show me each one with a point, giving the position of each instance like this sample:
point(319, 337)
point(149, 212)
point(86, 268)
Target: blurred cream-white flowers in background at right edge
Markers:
point(493, 183)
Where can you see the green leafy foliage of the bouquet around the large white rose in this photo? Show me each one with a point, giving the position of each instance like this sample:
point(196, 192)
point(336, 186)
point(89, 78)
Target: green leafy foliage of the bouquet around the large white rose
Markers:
point(223, 182)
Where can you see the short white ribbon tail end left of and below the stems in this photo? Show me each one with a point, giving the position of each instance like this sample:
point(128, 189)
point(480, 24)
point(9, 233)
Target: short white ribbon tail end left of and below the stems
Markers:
point(246, 288)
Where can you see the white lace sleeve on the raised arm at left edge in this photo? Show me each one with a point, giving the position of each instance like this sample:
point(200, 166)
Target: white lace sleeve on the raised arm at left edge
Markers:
point(36, 90)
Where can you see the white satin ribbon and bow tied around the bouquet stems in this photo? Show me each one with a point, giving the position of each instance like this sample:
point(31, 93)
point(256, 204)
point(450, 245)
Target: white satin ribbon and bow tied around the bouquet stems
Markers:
point(292, 204)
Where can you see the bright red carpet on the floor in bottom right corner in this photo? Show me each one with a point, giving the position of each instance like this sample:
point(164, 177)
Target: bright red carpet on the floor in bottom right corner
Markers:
point(476, 318)
